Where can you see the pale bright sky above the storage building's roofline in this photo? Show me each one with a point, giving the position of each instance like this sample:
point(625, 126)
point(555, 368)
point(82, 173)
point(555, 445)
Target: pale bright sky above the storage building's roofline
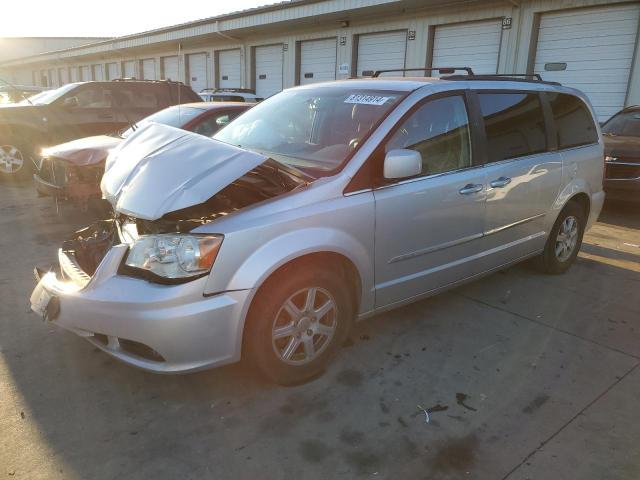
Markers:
point(107, 18)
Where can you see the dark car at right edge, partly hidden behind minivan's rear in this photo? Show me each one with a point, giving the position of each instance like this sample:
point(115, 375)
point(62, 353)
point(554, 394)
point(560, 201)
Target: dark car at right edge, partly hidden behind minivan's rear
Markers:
point(622, 149)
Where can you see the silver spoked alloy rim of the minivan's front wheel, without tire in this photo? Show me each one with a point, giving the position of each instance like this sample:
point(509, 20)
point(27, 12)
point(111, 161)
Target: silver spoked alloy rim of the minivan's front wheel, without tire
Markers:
point(304, 326)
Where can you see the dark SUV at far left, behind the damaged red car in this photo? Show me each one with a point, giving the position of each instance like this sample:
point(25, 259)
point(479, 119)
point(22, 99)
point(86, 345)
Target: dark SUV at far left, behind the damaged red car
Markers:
point(78, 110)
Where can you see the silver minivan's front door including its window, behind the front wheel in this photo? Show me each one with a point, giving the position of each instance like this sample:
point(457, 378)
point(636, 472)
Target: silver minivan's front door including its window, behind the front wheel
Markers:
point(429, 229)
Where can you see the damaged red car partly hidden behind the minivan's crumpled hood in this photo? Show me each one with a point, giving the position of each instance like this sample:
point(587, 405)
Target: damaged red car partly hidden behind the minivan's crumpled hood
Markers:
point(72, 171)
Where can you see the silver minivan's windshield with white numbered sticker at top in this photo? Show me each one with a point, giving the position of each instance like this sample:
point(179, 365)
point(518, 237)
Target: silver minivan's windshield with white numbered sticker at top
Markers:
point(315, 128)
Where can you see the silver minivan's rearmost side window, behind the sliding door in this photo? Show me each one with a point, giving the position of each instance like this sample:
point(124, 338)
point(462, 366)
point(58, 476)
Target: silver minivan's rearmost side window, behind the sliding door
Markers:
point(574, 123)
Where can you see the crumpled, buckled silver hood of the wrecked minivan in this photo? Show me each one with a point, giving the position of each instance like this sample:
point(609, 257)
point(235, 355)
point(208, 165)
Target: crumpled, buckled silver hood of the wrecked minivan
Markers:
point(161, 169)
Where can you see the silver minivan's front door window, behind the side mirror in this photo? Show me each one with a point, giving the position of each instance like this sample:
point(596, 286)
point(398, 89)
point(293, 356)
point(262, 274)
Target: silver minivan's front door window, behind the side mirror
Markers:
point(439, 131)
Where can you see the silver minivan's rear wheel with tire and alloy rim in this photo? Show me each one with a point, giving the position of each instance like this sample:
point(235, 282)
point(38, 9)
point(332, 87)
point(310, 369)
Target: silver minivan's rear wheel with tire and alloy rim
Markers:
point(564, 241)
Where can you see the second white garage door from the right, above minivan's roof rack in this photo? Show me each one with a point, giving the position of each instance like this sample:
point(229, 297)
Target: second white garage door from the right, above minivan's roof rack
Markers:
point(474, 44)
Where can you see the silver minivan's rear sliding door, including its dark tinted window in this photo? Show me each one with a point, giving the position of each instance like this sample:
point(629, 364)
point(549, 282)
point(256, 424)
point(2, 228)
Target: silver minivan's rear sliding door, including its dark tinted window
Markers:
point(523, 176)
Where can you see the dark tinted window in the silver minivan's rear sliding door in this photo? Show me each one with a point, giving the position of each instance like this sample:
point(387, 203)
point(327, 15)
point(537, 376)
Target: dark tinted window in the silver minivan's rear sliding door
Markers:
point(514, 124)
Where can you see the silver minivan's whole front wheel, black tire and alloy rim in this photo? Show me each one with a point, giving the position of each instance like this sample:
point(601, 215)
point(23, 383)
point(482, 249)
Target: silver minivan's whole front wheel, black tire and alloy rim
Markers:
point(297, 322)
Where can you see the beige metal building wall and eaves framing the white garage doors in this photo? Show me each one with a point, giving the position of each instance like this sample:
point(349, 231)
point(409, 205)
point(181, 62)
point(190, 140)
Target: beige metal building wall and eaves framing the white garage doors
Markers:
point(517, 44)
